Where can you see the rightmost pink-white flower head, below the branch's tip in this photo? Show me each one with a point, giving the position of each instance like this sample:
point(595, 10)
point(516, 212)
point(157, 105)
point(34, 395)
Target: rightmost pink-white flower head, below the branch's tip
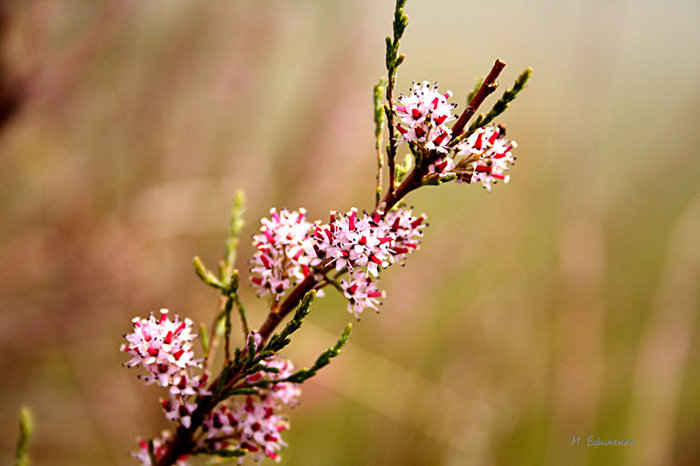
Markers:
point(488, 156)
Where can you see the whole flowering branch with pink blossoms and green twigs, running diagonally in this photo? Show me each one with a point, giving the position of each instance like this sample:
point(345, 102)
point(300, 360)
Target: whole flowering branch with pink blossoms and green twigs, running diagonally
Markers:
point(292, 262)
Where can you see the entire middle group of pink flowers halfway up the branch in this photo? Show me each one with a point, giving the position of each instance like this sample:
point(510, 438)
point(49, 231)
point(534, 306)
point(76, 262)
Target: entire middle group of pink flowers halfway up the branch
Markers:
point(289, 248)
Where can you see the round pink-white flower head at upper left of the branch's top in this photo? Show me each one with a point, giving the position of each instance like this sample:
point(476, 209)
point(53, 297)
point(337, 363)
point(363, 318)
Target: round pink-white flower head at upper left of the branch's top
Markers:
point(424, 116)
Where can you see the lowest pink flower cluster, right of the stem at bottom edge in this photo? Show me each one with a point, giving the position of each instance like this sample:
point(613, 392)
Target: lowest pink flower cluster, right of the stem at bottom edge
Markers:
point(256, 424)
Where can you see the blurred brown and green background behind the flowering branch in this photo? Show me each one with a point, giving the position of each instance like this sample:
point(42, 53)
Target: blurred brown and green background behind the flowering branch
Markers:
point(564, 304)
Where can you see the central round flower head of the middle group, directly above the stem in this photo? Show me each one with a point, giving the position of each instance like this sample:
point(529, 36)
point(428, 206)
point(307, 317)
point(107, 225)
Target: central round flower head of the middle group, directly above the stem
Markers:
point(350, 241)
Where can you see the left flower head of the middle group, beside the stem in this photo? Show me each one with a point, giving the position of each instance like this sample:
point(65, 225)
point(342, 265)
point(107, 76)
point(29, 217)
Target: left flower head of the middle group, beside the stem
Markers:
point(281, 260)
